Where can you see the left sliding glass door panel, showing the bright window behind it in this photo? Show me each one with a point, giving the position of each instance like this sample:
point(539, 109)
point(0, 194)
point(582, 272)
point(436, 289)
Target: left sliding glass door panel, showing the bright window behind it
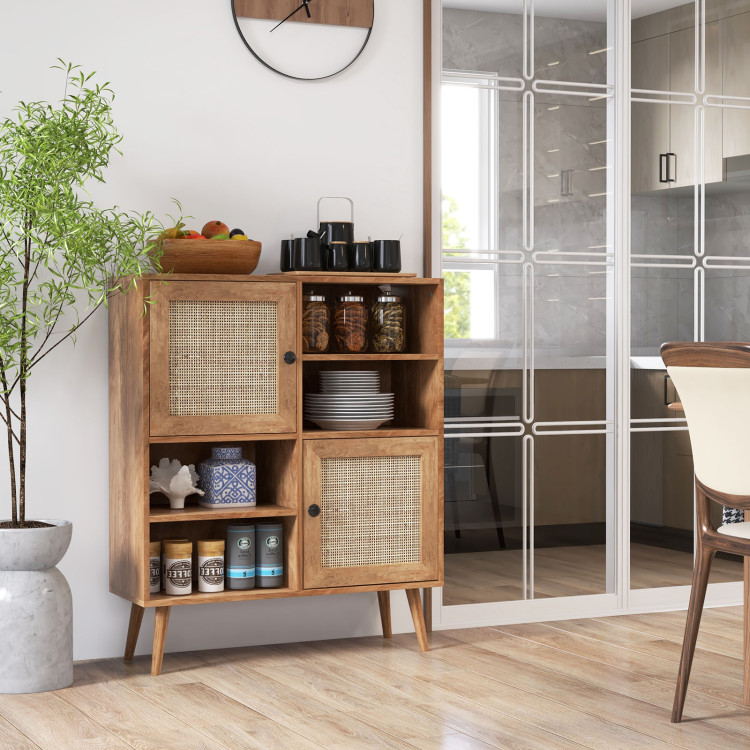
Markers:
point(527, 255)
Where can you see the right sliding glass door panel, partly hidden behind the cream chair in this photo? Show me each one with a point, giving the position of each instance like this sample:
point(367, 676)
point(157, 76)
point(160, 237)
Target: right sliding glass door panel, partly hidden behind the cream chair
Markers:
point(690, 260)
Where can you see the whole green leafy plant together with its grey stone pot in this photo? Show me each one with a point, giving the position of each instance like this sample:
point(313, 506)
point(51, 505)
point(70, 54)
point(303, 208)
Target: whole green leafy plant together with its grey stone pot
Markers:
point(61, 258)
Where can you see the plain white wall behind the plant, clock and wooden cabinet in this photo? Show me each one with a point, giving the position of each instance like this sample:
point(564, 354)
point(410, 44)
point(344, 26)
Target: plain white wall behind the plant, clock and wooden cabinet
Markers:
point(206, 123)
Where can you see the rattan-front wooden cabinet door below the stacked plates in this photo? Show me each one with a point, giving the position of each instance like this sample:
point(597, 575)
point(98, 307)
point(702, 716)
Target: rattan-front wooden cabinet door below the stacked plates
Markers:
point(371, 511)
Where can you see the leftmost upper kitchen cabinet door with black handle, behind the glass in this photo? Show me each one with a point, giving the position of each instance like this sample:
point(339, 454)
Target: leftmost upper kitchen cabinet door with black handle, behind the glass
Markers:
point(650, 122)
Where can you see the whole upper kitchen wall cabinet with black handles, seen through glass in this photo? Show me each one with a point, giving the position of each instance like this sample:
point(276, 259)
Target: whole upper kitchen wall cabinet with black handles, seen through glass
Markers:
point(666, 62)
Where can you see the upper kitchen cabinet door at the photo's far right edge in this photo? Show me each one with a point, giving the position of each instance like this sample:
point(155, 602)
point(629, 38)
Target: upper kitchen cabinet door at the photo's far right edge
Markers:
point(735, 46)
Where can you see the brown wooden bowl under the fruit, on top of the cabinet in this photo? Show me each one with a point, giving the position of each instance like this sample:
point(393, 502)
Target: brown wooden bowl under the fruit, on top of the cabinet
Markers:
point(210, 256)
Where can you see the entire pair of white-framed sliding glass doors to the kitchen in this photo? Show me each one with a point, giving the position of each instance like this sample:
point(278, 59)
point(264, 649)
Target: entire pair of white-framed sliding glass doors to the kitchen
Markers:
point(568, 471)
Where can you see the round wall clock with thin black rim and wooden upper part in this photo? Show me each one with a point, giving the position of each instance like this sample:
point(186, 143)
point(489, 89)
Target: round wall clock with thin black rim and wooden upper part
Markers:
point(305, 39)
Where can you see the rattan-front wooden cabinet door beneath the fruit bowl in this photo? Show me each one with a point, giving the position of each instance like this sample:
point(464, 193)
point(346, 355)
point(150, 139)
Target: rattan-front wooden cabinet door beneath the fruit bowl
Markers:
point(217, 358)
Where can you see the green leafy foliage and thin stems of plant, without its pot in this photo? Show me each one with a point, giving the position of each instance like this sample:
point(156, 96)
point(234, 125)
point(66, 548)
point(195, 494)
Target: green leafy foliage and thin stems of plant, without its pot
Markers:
point(61, 256)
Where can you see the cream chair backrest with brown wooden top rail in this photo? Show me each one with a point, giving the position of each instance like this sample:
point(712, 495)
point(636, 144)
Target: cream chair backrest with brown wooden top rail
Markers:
point(713, 383)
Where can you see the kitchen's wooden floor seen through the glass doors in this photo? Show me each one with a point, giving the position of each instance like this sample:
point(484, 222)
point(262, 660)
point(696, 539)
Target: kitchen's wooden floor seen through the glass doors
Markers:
point(497, 575)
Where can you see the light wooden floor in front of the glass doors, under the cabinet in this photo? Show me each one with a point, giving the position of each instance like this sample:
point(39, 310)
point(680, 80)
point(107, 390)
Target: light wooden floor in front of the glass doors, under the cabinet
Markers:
point(602, 683)
